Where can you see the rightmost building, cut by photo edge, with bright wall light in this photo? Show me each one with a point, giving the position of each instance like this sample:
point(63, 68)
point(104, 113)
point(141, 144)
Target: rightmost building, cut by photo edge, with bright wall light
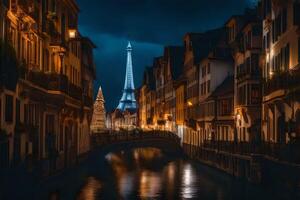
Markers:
point(281, 70)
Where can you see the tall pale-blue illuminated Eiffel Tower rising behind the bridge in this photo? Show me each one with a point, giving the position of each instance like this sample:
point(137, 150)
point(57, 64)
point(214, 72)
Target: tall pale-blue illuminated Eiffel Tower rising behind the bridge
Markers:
point(128, 102)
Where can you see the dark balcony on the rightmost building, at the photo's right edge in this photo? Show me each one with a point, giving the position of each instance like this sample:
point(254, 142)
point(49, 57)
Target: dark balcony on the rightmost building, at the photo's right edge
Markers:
point(283, 81)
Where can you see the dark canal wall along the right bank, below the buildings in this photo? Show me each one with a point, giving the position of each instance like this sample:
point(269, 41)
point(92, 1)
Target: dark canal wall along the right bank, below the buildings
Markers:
point(256, 168)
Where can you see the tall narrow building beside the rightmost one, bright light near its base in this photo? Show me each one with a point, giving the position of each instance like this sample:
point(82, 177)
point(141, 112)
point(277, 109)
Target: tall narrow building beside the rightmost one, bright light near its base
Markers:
point(247, 104)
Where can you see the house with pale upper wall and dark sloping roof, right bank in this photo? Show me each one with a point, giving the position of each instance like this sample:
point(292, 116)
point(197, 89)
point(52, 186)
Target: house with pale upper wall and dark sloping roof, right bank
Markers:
point(214, 74)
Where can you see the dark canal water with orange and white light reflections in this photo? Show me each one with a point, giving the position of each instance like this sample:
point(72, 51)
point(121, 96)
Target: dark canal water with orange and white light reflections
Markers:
point(142, 173)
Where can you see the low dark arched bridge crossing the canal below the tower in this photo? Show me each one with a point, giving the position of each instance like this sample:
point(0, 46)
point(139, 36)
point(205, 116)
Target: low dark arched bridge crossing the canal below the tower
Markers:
point(166, 141)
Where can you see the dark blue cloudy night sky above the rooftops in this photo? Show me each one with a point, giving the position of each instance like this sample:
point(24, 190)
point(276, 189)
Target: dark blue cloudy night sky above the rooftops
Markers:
point(149, 25)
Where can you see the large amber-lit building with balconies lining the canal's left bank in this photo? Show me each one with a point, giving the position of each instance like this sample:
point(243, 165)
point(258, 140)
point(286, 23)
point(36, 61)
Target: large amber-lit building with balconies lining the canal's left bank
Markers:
point(44, 116)
